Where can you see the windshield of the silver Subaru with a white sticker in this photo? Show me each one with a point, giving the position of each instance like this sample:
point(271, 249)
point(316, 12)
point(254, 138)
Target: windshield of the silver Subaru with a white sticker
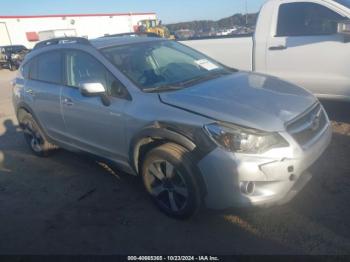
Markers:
point(160, 65)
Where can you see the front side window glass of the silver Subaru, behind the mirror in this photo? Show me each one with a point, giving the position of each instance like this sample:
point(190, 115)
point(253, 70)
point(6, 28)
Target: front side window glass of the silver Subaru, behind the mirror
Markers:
point(83, 68)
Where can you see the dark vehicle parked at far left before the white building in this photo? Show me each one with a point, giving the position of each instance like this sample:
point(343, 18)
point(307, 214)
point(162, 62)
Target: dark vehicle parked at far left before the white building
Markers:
point(11, 56)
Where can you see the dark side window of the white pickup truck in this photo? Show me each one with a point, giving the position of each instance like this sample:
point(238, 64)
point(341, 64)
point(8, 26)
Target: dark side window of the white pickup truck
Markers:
point(306, 19)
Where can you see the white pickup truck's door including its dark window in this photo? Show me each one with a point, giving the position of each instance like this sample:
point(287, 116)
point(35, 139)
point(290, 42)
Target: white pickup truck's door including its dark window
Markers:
point(306, 50)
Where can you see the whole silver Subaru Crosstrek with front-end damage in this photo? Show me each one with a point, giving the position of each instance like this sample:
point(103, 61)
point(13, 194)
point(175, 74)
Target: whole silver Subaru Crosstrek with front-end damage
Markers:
point(196, 131)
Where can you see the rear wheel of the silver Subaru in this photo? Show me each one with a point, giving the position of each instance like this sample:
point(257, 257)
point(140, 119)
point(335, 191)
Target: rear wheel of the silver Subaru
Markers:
point(35, 137)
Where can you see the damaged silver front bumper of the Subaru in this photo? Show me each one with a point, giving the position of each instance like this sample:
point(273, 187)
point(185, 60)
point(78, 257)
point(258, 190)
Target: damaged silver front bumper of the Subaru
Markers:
point(275, 177)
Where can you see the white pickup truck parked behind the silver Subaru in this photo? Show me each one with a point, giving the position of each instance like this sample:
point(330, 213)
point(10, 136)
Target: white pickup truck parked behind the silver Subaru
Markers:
point(305, 42)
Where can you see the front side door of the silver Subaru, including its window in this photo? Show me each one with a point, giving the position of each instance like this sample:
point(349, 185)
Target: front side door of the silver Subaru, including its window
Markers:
point(91, 125)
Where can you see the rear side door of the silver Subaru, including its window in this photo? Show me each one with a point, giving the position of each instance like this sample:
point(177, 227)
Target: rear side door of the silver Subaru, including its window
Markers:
point(44, 88)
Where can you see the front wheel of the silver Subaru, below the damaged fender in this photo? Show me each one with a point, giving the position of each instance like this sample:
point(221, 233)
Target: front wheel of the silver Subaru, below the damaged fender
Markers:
point(169, 178)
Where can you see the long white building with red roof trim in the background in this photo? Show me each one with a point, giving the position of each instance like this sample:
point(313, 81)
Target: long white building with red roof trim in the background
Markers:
point(28, 30)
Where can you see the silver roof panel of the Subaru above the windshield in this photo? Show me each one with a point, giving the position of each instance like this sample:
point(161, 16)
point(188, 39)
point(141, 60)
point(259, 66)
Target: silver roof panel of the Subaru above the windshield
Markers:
point(105, 42)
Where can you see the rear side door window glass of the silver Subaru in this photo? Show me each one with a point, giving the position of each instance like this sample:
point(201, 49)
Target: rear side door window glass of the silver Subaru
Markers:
point(48, 68)
